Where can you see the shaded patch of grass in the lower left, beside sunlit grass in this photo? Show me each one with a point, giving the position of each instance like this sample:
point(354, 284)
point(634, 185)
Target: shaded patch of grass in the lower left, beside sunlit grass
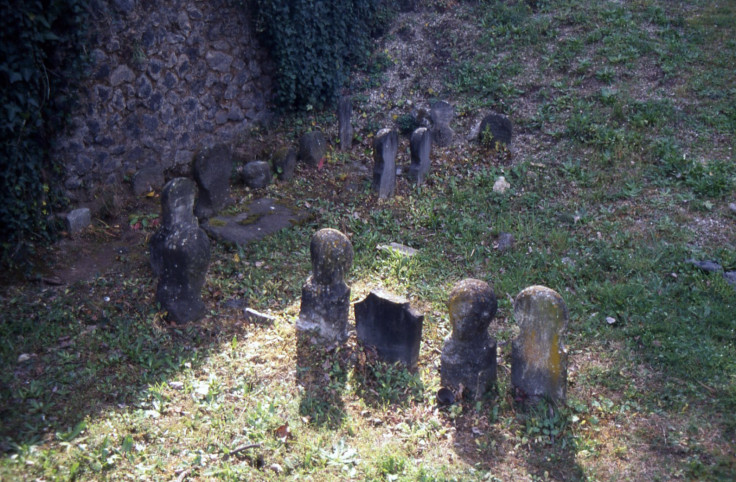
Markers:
point(74, 352)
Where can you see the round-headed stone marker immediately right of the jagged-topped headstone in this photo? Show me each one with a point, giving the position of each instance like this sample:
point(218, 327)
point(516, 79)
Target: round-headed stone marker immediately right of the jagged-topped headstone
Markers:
point(469, 355)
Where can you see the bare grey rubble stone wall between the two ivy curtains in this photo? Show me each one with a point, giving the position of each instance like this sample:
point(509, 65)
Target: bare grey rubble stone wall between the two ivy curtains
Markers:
point(166, 78)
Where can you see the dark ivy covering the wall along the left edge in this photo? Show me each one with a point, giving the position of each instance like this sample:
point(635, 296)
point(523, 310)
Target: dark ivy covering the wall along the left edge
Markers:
point(41, 47)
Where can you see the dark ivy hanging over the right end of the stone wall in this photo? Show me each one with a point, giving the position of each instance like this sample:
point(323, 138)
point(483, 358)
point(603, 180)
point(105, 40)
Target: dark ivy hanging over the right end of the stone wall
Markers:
point(314, 43)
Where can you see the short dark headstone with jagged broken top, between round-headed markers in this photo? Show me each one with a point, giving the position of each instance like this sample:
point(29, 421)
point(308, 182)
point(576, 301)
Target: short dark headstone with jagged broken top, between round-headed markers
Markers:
point(390, 324)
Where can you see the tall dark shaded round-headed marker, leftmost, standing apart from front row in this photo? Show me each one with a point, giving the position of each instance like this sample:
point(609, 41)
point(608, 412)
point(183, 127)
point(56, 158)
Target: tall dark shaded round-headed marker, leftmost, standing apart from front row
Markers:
point(180, 252)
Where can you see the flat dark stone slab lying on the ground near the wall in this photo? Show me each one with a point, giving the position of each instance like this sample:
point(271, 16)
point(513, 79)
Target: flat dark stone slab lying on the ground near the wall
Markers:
point(263, 217)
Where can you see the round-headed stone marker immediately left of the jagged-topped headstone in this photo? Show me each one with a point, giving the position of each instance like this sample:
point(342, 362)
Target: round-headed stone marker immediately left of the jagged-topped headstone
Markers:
point(325, 295)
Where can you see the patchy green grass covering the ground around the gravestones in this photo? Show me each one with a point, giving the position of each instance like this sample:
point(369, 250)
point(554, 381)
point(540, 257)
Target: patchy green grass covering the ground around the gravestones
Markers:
point(622, 168)
